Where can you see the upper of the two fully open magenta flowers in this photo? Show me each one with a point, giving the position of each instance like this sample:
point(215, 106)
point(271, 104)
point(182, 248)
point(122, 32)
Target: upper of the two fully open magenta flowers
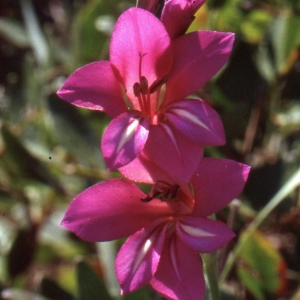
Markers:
point(156, 74)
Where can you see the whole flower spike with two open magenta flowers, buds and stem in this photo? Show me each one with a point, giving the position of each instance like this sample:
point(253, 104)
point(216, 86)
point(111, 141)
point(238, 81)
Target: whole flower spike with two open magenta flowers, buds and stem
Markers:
point(156, 137)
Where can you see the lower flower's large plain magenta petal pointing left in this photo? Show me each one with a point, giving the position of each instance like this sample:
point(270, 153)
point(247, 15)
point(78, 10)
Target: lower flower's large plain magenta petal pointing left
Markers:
point(110, 210)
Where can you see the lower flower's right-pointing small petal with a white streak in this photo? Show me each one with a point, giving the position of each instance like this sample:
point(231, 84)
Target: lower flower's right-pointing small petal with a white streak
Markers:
point(203, 235)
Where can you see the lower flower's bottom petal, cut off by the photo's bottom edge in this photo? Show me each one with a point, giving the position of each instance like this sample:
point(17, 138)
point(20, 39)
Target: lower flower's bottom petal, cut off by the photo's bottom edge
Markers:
point(179, 274)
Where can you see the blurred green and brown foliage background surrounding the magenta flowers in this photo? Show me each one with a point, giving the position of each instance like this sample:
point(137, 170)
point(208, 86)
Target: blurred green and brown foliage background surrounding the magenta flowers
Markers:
point(49, 150)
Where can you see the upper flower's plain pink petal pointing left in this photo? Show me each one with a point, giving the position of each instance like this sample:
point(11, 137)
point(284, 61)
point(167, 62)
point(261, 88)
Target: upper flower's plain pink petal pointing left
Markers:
point(95, 86)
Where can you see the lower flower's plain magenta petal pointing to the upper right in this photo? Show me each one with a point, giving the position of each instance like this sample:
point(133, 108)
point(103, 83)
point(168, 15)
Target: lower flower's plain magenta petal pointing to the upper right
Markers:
point(216, 183)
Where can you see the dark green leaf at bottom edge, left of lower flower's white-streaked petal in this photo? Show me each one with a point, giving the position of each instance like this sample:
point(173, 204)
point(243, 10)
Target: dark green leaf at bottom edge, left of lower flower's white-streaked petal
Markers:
point(89, 284)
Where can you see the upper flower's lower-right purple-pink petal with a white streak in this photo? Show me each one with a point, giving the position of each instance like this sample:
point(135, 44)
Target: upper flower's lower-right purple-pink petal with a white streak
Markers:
point(197, 121)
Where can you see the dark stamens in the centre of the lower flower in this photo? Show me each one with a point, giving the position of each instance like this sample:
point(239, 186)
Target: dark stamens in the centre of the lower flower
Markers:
point(162, 190)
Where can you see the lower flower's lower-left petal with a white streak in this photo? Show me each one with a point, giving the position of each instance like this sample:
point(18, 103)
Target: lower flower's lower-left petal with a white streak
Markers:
point(138, 258)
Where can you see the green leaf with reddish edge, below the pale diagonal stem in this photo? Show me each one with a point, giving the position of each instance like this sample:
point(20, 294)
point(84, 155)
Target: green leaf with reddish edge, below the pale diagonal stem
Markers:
point(261, 267)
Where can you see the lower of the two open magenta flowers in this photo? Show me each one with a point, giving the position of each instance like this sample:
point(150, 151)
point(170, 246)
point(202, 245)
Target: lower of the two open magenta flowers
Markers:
point(168, 226)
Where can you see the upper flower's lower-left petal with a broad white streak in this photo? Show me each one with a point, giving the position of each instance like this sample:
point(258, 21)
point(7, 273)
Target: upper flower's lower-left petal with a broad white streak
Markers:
point(124, 139)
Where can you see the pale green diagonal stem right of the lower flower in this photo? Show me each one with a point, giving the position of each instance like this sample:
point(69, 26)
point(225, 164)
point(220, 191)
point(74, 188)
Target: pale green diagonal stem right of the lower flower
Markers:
point(289, 186)
